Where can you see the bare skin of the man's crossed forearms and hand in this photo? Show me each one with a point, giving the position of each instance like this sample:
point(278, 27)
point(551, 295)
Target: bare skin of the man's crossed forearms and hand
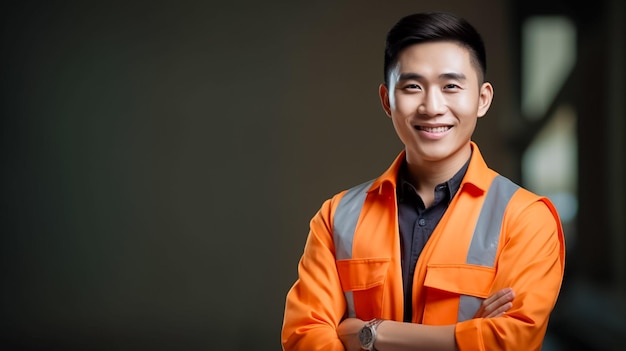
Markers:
point(398, 336)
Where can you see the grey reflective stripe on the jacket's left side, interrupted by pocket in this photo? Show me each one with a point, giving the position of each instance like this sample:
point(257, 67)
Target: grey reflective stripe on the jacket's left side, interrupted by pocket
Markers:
point(344, 226)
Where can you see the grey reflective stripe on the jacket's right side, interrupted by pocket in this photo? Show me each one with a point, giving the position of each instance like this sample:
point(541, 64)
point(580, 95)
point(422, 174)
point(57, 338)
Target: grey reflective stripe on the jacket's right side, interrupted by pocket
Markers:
point(486, 236)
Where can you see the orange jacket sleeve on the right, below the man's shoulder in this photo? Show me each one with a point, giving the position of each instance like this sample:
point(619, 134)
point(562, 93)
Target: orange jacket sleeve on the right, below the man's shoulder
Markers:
point(531, 261)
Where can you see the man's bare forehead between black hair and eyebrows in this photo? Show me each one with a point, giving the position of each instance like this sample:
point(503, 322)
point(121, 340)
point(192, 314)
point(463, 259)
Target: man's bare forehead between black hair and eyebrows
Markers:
point(436, 58)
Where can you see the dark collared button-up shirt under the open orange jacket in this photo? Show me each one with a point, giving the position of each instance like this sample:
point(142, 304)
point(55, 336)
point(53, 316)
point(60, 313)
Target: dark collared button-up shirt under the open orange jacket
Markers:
point(417, 223)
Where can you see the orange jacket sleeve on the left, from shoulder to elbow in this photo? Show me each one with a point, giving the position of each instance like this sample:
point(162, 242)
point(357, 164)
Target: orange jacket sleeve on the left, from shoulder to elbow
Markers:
point(315, 304)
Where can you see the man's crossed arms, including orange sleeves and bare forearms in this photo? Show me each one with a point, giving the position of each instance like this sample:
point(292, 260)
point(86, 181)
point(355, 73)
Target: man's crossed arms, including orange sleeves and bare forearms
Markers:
point(532, 263)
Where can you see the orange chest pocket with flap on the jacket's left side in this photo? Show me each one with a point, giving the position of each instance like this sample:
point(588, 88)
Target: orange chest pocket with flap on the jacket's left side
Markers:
point(363, 281)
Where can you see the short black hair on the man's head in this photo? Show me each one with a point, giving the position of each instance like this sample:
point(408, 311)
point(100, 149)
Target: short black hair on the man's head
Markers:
point(430, 27)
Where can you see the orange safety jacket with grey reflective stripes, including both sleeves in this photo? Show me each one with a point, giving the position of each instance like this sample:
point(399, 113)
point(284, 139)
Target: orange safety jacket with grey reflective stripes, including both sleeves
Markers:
point(493, 235)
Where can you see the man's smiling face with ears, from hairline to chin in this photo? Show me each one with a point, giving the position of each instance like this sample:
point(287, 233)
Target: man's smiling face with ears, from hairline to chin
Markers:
point(434, 100)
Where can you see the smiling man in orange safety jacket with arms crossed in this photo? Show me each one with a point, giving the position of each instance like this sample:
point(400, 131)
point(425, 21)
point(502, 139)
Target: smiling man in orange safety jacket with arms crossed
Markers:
point(429, 255)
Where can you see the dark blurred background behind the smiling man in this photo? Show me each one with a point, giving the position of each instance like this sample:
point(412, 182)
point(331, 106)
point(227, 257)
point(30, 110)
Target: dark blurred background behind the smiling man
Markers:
point(161, 160)
